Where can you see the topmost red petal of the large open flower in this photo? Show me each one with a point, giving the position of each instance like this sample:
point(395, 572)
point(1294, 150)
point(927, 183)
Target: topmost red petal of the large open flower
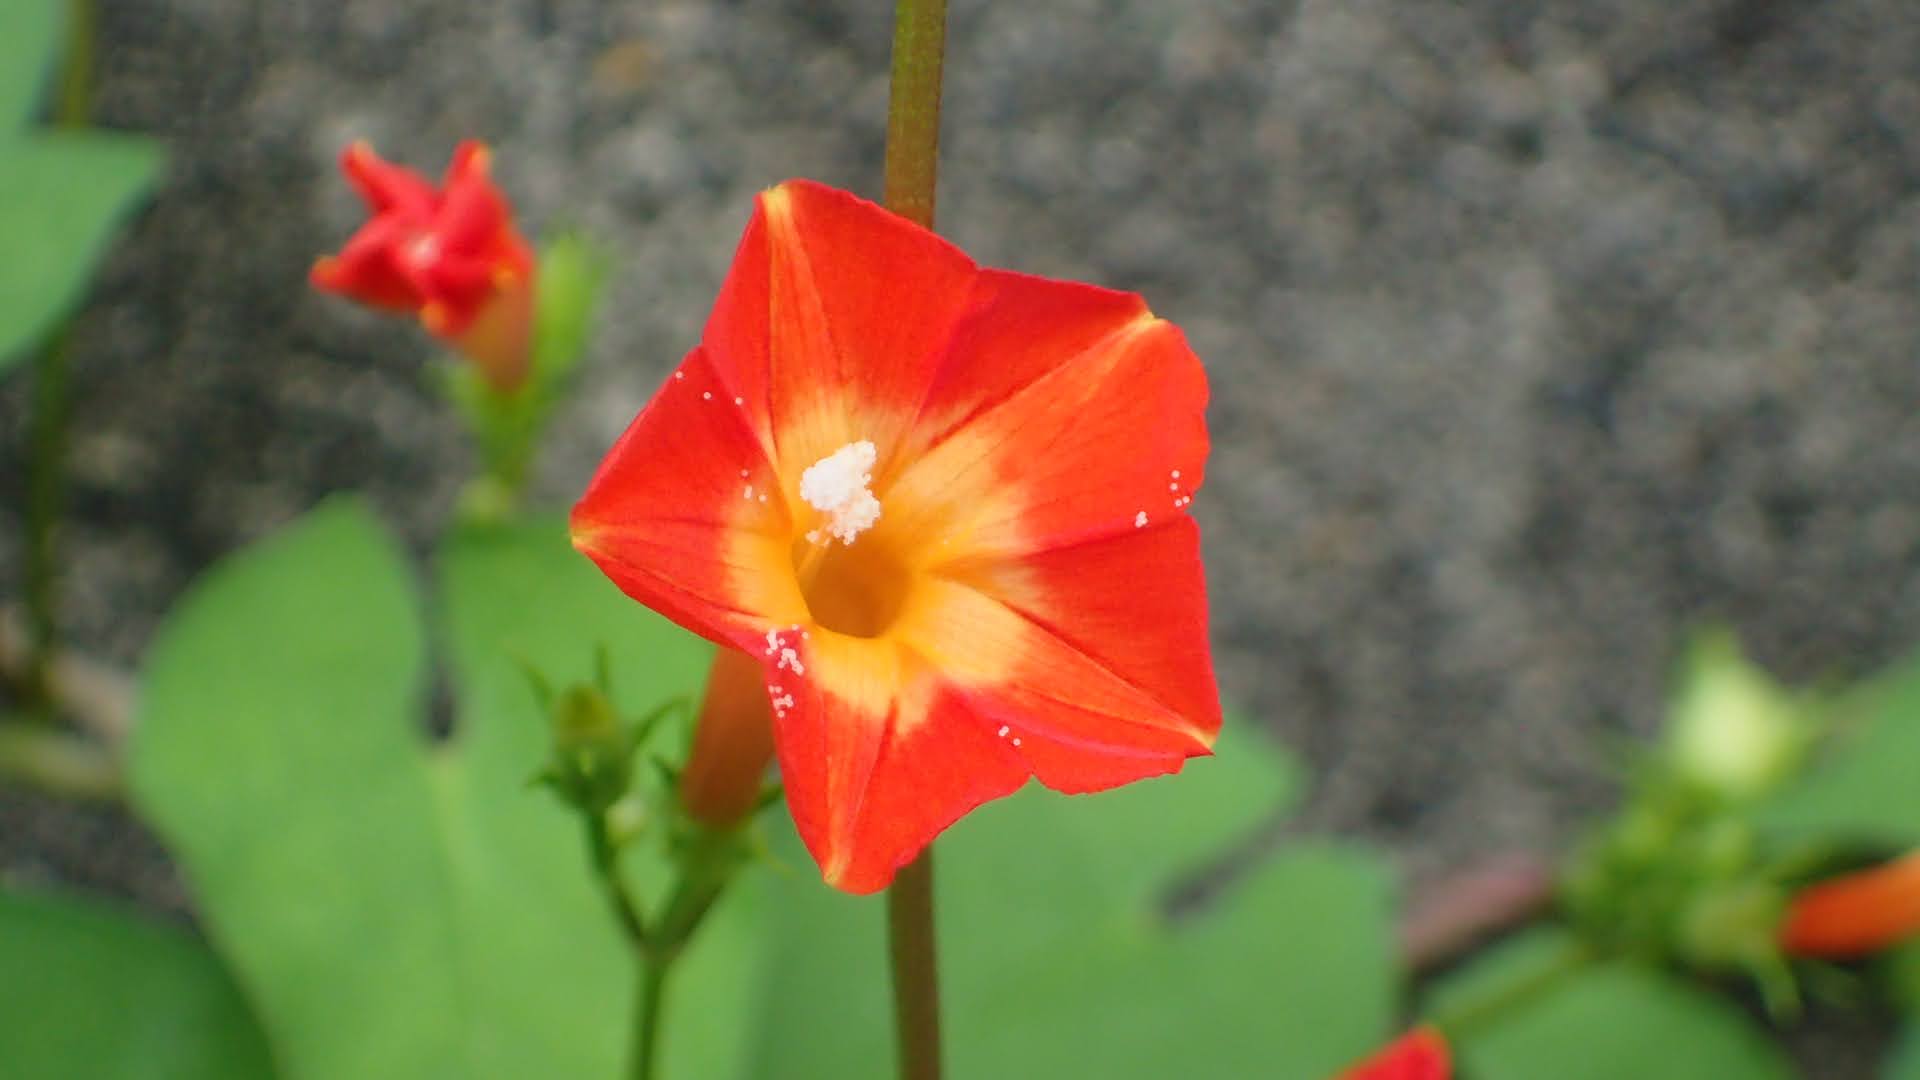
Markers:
point(834, 320)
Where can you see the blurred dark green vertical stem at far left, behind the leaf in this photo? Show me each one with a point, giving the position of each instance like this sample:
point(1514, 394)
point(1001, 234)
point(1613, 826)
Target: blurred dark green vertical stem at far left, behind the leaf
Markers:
point(51, 406)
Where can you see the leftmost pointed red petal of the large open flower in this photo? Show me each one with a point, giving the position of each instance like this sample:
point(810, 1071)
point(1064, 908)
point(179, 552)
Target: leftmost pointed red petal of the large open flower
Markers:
point(686, 514)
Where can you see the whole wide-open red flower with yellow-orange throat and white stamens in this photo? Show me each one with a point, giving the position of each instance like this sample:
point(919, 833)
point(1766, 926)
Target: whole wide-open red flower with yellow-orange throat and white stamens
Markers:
point(946, 508)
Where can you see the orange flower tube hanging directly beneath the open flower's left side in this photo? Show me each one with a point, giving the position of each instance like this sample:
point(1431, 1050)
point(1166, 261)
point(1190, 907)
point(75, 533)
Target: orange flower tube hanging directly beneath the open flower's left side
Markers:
point(732, 743)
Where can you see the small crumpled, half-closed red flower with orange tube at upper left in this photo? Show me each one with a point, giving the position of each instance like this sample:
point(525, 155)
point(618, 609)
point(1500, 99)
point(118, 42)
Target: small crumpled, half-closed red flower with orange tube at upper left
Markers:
point(448, 255)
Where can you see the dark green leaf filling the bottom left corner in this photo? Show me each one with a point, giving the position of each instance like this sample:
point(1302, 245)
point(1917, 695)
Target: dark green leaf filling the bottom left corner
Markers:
point(87, 991)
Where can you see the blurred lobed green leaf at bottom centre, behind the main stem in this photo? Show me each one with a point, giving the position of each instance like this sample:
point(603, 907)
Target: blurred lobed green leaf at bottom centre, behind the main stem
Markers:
point(1057, 962)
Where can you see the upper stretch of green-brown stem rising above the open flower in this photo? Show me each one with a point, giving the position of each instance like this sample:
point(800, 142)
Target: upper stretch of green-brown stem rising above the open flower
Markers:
point(915, 109)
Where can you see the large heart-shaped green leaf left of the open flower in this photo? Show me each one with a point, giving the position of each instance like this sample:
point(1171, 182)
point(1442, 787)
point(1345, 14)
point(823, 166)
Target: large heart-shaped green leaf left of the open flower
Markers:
point(402, 908)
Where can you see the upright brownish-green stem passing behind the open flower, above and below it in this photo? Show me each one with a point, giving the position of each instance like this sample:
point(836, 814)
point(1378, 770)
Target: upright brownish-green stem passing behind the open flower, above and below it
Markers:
point(913, 168)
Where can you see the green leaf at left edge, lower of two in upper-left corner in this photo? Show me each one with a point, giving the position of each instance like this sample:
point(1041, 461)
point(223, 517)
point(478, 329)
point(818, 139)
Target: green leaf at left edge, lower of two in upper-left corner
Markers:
point(60, 201)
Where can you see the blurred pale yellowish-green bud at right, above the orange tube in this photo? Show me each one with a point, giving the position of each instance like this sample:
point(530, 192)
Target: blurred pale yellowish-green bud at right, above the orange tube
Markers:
point(1733, 731)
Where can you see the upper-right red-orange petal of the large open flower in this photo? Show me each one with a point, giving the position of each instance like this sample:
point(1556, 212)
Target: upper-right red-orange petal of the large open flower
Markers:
point(1105, 441)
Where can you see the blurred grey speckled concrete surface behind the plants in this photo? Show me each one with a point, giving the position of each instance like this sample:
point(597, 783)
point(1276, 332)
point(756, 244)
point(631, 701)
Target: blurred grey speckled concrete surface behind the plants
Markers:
point(1537, 331)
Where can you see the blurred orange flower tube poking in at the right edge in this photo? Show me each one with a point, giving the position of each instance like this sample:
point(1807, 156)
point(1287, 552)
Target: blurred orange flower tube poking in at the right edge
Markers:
point(1858, 914)
